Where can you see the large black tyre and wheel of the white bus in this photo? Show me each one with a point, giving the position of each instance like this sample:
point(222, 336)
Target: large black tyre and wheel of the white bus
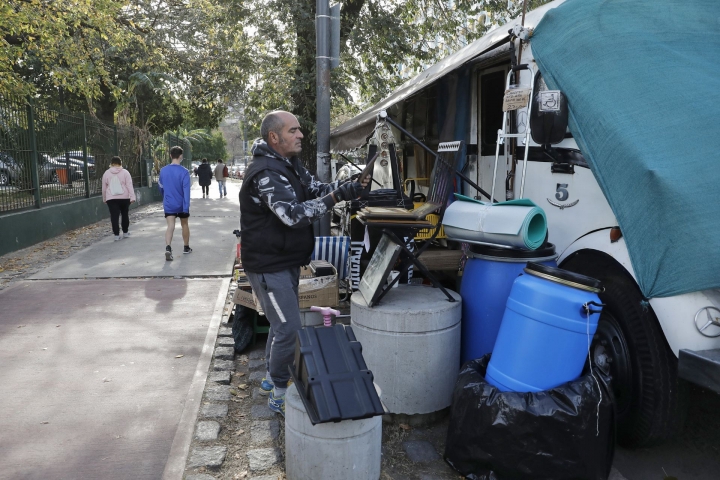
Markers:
point(629, 349)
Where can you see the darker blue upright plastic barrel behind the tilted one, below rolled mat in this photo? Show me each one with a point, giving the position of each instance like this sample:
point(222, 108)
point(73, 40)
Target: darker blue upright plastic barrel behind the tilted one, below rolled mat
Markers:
point(487, 280)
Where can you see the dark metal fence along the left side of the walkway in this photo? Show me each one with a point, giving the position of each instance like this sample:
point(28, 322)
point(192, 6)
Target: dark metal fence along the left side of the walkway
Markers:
point(48, 156)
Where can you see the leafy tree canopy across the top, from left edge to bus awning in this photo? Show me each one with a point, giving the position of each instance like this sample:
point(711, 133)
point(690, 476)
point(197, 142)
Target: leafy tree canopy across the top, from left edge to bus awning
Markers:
point(162, 65)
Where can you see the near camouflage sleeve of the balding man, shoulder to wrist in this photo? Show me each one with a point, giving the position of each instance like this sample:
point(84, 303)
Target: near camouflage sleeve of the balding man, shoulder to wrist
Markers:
point(274, 190)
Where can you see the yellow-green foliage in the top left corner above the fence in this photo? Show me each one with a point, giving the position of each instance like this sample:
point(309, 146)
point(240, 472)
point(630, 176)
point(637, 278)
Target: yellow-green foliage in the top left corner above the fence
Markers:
point(58, 44)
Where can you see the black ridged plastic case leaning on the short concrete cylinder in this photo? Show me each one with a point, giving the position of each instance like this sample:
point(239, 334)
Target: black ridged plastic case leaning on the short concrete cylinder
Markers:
point(331, 375)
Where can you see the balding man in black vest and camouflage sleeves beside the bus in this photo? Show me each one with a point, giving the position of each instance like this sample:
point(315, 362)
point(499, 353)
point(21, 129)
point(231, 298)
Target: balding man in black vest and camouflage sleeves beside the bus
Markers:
point(279, 201)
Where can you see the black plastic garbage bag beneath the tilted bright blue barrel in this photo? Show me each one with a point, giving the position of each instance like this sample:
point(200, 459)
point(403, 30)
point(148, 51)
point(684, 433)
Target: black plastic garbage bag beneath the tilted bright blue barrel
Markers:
point(564, 433)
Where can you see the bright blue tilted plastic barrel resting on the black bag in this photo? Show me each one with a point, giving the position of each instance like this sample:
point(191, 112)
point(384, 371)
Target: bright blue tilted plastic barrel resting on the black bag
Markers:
point(550, 318)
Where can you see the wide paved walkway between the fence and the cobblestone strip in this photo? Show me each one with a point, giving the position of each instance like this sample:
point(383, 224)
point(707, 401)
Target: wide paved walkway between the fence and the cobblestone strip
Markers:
point(104, 355)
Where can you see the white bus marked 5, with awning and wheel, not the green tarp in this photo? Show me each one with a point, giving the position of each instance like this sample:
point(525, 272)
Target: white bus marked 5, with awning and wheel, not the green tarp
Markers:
point(639, 341)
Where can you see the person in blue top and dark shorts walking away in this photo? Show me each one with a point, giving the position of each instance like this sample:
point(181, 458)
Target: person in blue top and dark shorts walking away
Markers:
point(174, 183)
